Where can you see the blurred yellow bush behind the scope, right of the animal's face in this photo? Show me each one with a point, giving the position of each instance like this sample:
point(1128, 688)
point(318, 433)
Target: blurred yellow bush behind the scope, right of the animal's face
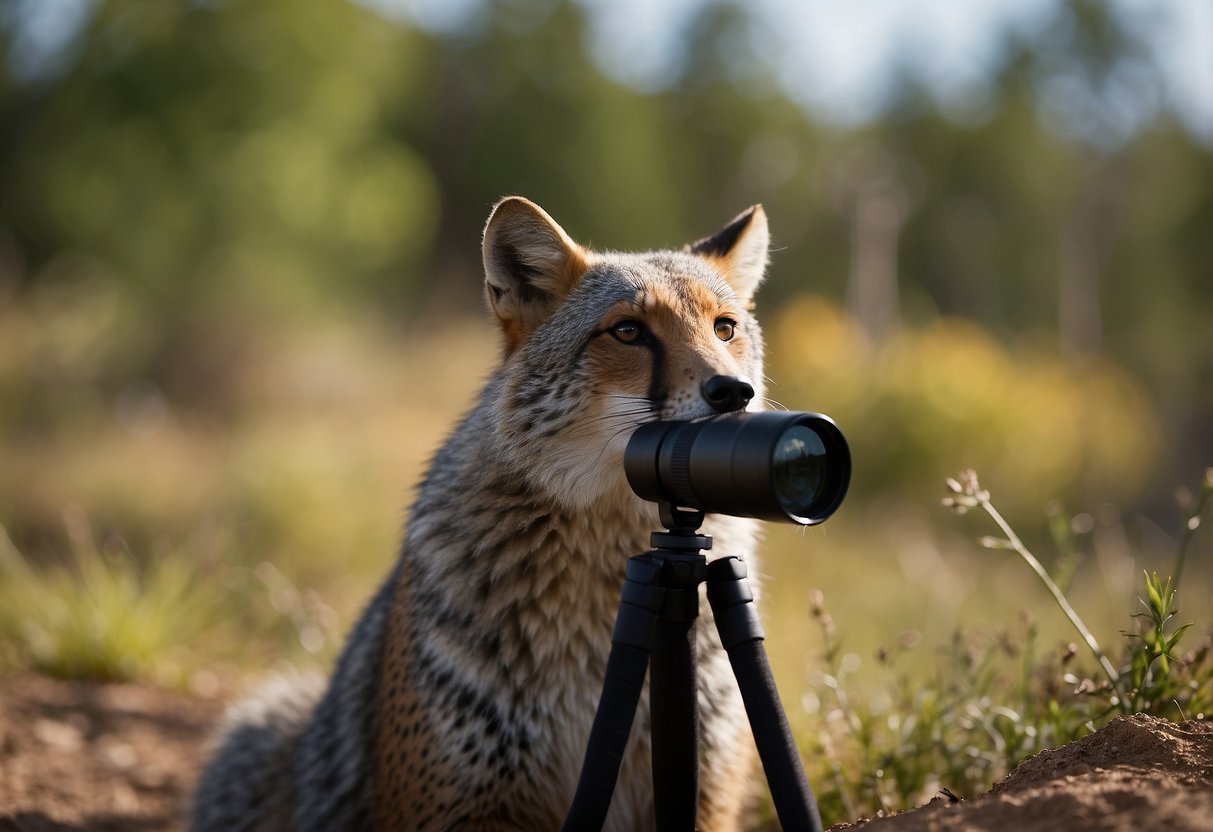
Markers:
point(949, 395)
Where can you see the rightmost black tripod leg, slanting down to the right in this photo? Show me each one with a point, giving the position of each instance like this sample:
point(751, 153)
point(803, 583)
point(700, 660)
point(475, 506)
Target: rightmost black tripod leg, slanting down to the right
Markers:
point(737, 619)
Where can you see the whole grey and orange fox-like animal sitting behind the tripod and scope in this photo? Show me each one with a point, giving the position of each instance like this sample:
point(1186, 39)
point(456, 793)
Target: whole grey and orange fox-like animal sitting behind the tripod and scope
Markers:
point(465, 694)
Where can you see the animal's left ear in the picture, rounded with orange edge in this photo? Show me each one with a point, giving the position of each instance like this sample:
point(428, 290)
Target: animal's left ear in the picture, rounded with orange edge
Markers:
point(531, 266)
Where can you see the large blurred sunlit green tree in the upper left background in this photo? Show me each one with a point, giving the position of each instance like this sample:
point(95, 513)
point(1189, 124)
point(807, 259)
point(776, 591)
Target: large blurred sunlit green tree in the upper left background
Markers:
point(203, 147)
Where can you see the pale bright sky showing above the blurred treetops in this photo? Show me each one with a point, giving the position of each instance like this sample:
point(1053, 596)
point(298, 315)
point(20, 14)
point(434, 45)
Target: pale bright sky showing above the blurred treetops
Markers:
point(835, 58)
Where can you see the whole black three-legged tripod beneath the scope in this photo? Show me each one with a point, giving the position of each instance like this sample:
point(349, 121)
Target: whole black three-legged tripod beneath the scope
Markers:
point(657, 618)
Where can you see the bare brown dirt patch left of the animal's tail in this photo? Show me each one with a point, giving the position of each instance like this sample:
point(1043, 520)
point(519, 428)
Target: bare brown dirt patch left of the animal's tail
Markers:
point(79, 756)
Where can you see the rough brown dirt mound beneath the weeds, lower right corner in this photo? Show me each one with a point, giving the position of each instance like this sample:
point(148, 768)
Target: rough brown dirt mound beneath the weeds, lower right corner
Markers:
point(1136, 773)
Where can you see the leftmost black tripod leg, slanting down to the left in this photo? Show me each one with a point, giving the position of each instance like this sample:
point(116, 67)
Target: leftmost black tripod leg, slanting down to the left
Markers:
point(631, 645)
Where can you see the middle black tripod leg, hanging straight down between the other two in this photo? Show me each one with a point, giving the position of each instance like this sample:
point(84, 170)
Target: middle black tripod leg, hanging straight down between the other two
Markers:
point(675, 706)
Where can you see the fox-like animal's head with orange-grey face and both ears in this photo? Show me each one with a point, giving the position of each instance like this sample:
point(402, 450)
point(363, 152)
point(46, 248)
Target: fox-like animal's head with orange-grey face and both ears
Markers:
point(596, 344)
